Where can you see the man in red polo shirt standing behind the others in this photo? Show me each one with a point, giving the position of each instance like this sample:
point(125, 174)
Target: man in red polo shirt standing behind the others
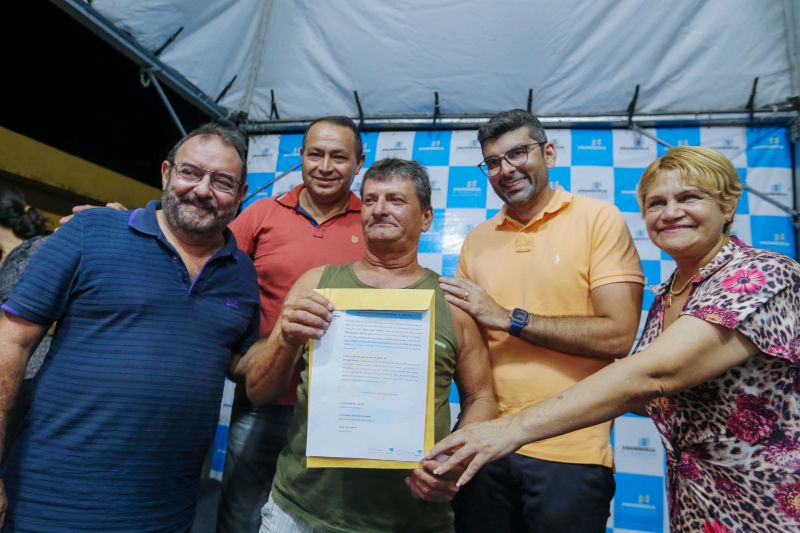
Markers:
point(315, 223)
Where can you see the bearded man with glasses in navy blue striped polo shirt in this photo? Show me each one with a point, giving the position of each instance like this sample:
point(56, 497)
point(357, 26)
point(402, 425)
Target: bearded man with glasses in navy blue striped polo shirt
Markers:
point(153, 307)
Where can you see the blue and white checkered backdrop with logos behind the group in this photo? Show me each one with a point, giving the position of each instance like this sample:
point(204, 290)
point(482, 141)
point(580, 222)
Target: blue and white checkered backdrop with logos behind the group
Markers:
point(602, 163)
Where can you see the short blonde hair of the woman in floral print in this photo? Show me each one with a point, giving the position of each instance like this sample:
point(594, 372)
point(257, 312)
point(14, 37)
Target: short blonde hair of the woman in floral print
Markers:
point(701, 167)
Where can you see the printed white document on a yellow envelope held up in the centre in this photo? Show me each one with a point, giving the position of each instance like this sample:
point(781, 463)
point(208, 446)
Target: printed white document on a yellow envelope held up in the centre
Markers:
point(371, 380)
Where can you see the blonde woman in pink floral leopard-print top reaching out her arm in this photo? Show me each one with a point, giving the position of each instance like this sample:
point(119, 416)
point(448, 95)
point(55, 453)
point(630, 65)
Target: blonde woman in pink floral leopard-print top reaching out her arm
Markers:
point(718, 367)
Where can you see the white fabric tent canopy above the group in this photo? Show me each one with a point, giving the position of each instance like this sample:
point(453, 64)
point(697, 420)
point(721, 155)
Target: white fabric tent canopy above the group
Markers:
point(691, 58)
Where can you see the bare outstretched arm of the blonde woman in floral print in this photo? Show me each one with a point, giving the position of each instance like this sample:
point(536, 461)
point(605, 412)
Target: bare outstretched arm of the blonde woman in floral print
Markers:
point(688, 353)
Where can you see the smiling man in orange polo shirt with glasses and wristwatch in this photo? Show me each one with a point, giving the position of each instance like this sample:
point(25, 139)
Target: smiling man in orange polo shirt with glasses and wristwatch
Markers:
point(555, 283)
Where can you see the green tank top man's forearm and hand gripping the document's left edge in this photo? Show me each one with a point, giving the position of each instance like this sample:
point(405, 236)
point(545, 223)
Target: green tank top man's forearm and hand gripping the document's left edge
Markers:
point(269, 363)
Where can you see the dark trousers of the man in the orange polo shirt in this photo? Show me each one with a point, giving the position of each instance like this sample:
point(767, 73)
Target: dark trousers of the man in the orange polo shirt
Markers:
point(523, 494)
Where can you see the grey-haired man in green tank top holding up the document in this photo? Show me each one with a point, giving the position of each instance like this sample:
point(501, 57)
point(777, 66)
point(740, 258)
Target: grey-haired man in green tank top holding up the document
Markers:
point(396, 210)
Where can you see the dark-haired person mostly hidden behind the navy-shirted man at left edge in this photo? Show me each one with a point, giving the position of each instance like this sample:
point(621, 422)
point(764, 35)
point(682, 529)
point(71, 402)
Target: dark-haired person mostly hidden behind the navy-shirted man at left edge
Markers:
point(23, 230)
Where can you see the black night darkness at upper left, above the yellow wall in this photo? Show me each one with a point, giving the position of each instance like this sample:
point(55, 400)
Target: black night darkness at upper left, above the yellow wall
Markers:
point(66, 87)
